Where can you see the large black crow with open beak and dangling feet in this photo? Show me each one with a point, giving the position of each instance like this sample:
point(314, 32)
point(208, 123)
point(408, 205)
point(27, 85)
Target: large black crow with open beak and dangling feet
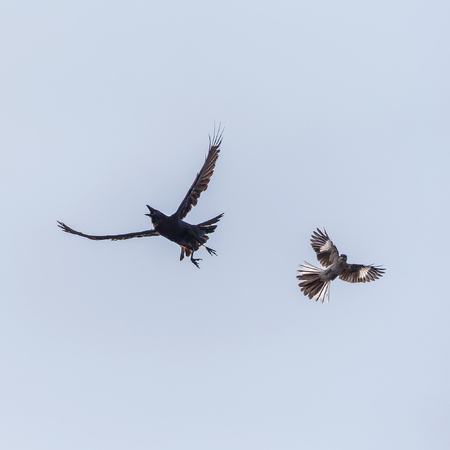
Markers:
point(189, 237)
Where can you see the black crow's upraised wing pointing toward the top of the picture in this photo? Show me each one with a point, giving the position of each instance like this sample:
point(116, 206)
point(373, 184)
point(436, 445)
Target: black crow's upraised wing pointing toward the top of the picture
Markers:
point(201, 181)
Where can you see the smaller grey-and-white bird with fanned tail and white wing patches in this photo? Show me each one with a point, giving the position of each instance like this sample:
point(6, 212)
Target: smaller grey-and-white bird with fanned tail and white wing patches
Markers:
point(315, 282)
